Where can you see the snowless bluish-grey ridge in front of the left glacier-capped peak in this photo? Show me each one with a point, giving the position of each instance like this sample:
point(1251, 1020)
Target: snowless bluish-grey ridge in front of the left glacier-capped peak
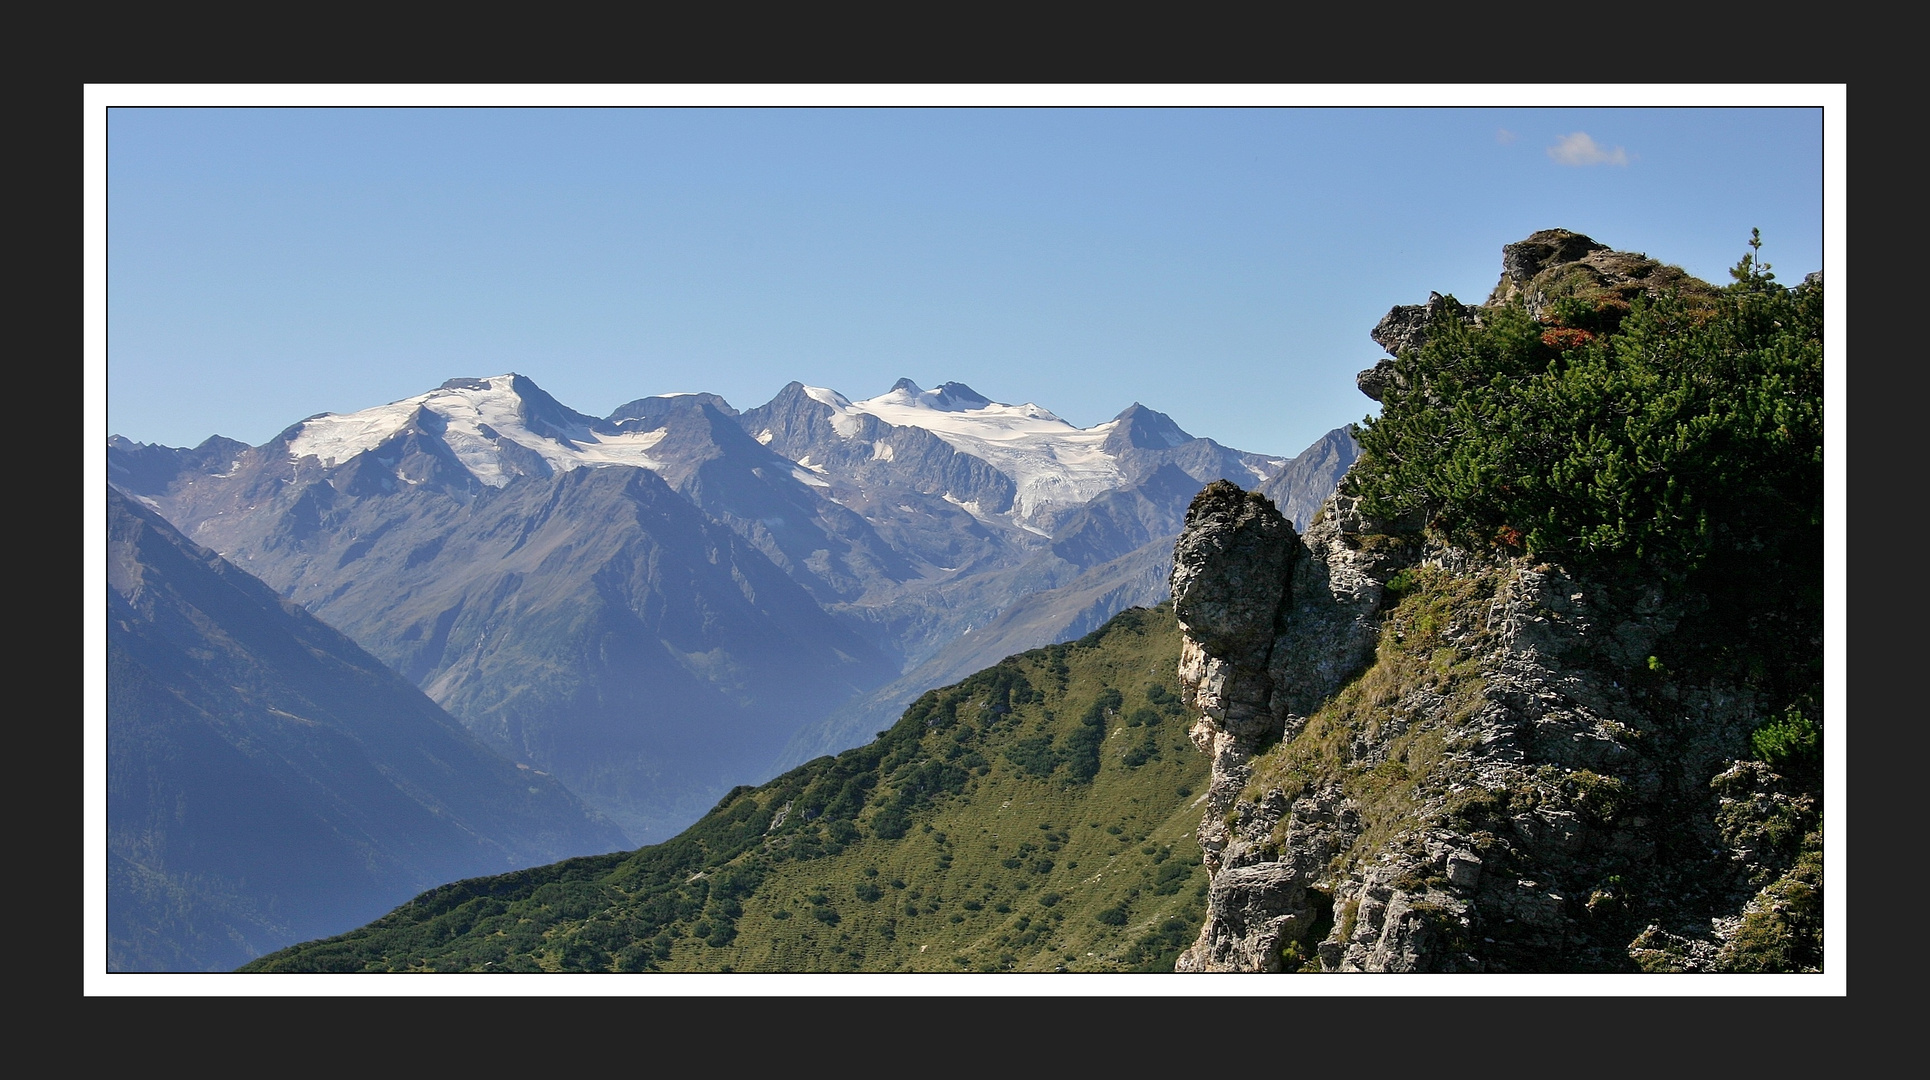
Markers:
point(601, 628)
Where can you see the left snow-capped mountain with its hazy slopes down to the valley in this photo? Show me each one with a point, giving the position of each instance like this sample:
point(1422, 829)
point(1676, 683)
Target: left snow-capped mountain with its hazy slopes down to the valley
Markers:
point(532, 570)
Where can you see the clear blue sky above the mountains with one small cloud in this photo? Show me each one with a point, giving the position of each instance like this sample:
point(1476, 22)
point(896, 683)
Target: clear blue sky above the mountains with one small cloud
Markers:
point(1221, 265)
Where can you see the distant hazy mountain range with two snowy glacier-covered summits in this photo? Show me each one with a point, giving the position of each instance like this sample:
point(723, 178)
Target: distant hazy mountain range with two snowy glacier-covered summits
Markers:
point(678, 599)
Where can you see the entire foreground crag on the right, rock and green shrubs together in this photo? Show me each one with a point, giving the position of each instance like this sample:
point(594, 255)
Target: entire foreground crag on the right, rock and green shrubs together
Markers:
point(1543, 686)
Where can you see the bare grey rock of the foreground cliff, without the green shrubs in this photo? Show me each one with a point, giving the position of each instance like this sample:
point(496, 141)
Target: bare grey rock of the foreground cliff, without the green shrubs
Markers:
point(1429, 759)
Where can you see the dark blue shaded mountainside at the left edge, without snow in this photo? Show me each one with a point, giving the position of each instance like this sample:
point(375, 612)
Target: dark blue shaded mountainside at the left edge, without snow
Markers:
point(269, 780)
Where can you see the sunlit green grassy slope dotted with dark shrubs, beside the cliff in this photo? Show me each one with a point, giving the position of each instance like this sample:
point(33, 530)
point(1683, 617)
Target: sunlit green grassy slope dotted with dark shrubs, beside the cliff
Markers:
point(1035, 817)
